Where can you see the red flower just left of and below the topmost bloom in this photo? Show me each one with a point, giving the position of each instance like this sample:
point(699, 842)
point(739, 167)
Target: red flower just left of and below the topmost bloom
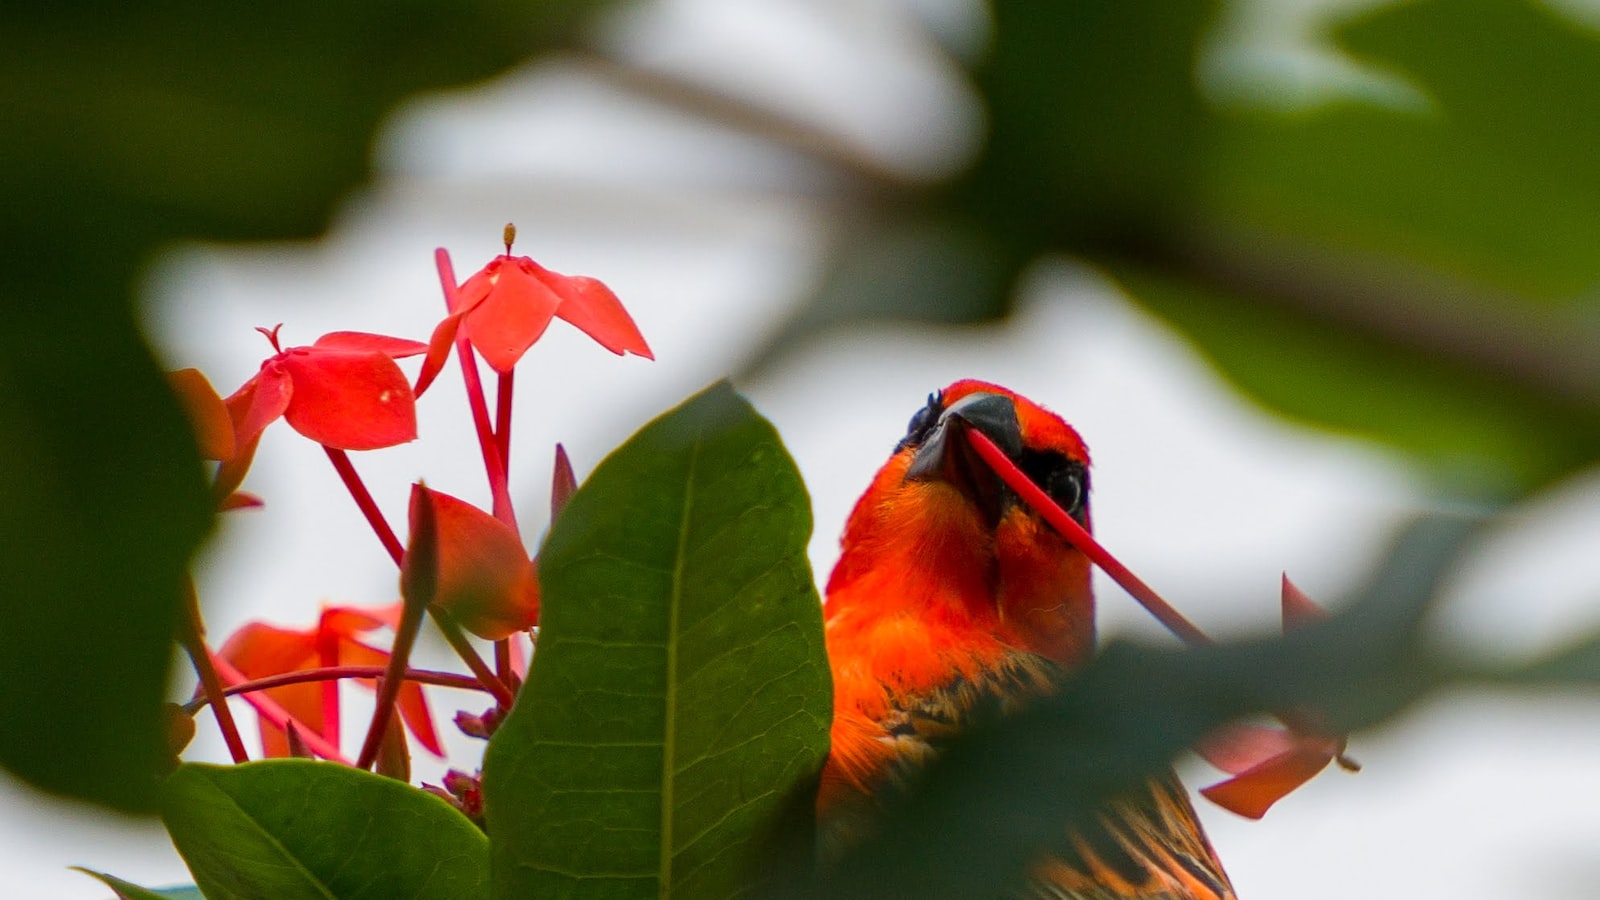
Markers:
point(343, 392)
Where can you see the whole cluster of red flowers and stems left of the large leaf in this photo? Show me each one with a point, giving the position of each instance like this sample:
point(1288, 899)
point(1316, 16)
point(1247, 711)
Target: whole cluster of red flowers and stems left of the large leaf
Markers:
point(465, 568)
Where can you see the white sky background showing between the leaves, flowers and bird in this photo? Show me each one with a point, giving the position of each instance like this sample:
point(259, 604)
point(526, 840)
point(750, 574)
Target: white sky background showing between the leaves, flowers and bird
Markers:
point(711, 239)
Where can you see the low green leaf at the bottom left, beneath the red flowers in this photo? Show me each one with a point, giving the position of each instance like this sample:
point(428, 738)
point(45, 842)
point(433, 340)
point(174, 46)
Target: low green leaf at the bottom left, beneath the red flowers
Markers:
point(290, 829)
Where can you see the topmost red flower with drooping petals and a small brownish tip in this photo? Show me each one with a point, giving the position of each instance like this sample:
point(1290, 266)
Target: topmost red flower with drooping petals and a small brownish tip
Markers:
point(510, 303)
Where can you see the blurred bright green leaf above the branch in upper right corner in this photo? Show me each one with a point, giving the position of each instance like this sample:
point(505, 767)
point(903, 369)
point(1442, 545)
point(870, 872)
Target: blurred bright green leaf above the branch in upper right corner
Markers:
point(1494, 183)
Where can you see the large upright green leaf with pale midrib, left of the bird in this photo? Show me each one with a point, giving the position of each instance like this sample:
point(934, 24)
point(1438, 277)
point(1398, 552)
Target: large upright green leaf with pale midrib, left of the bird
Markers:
point(678, 710)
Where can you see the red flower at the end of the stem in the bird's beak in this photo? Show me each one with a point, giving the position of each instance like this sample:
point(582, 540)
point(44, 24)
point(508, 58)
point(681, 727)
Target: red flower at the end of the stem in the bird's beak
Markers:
point(1270, 763)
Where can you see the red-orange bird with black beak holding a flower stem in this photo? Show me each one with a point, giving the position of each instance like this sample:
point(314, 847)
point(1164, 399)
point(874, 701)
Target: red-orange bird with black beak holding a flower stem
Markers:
point(953, 601)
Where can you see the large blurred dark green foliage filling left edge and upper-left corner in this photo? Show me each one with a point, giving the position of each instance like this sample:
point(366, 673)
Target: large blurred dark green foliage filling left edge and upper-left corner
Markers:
point(129, 127)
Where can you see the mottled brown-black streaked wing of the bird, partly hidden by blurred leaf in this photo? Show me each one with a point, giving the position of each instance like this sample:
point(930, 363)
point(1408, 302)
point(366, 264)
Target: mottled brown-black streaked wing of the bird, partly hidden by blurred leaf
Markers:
point(1148, 845)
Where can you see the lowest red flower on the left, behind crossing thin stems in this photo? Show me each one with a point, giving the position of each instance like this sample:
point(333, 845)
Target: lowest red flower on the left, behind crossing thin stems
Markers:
point(260, 651)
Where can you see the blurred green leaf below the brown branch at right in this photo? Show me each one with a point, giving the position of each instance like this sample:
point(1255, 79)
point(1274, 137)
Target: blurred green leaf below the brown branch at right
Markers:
point(1479, 433)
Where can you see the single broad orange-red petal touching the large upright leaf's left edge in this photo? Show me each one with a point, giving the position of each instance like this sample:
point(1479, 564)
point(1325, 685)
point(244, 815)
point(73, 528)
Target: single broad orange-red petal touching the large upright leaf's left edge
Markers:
point(486, 579)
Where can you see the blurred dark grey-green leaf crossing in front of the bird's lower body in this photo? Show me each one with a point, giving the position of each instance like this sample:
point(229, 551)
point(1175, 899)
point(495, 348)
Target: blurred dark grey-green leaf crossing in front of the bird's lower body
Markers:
point(1004, 797)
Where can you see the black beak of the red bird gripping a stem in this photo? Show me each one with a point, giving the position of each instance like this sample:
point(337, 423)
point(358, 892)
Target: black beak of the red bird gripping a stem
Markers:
point(948, 457)
